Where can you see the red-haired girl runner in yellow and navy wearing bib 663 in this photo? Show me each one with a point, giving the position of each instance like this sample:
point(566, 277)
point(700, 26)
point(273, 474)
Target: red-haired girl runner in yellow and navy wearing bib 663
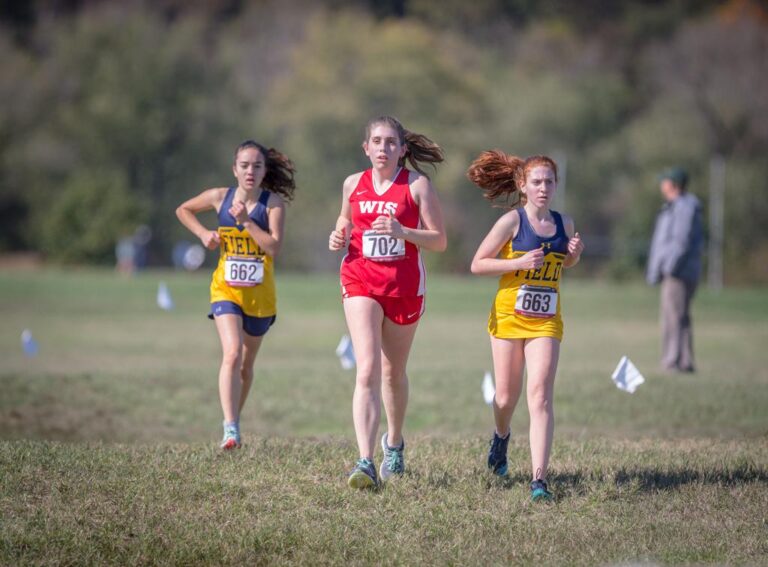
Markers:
point(528, 247)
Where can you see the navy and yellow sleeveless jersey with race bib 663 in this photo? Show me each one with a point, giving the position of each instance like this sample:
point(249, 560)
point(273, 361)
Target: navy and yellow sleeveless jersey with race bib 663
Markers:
point(527, 302)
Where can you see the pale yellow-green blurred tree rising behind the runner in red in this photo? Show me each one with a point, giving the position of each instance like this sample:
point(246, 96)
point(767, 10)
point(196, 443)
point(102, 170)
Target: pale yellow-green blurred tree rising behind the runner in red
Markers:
point(348, 69)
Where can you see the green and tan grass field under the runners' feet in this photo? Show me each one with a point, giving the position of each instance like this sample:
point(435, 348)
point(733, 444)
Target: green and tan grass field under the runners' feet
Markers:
point(107, 437)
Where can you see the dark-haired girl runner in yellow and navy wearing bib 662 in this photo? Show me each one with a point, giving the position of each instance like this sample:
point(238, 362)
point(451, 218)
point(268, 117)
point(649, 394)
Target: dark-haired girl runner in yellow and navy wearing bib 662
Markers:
point(251, 219)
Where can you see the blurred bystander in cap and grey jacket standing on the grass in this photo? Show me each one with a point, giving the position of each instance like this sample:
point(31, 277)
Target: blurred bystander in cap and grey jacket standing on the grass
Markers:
point(675, 262)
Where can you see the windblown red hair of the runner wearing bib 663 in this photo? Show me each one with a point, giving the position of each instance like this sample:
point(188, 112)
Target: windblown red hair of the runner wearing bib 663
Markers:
point(501, 175)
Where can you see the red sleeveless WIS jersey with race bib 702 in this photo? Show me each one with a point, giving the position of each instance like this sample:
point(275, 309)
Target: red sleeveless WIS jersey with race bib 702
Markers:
point(386, 266)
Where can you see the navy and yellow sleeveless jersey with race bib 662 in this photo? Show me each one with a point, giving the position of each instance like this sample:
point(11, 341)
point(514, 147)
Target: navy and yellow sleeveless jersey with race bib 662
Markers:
point(240, 257)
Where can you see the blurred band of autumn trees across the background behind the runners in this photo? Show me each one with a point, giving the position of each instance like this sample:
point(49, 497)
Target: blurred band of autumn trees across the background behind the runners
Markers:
point(113, 113)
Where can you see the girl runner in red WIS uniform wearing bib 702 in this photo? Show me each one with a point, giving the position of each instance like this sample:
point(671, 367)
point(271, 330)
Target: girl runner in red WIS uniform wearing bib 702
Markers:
point(388, 213)
